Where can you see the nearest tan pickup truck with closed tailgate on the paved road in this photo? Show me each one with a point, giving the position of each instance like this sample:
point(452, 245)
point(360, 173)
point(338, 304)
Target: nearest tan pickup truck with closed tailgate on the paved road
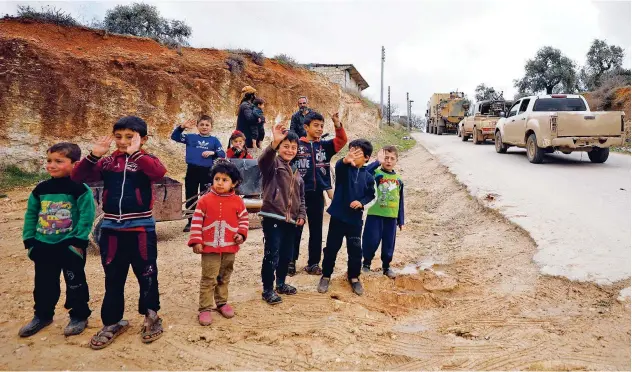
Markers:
point(559, 122)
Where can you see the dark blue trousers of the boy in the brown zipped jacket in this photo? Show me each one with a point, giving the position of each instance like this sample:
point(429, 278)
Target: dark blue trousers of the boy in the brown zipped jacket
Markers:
point(278, 242)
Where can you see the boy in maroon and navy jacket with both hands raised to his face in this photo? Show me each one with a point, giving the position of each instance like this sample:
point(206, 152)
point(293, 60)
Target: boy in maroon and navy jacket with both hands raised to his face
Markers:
point(129, 229)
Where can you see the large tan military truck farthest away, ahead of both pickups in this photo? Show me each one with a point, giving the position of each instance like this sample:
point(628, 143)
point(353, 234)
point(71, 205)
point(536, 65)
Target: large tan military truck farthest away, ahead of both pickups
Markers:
point(445, 111)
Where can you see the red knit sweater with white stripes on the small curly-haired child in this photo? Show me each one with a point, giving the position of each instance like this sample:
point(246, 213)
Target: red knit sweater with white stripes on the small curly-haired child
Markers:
point(216, 221)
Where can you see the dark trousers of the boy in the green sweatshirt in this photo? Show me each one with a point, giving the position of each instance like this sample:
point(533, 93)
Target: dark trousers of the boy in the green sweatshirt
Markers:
point(51, 260)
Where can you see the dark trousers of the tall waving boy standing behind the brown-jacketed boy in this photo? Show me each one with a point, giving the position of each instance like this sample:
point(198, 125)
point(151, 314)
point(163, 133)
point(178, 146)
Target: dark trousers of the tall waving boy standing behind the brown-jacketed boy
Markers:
point(315, 207)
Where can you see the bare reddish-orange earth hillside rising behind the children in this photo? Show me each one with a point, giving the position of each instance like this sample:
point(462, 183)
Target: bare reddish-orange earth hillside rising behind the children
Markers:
point(72, 84)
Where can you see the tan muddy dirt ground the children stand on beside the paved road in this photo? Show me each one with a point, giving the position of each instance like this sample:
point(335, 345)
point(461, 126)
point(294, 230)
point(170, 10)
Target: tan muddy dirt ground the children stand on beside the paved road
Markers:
point(468, 297)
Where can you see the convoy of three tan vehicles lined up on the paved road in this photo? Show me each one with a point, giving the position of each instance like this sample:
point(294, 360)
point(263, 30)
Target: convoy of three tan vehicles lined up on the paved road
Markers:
point(542, 124)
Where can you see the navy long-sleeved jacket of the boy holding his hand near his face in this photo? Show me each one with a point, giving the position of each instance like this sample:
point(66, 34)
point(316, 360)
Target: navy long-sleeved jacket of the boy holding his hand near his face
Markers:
point(351, 184)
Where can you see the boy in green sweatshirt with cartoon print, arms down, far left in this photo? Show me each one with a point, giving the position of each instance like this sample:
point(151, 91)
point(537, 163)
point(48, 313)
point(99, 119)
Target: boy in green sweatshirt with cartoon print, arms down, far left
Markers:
point(57, 224)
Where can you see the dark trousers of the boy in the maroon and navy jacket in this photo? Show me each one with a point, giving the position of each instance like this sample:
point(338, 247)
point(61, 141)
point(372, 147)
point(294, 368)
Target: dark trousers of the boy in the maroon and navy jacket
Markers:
point(119, 250)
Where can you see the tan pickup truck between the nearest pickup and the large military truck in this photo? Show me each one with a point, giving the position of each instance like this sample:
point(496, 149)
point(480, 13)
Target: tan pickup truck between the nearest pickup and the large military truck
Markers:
point(481, 123)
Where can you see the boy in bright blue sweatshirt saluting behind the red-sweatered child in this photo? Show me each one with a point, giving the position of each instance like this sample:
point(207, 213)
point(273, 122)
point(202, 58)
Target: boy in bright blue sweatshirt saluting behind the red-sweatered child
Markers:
point(202, 150)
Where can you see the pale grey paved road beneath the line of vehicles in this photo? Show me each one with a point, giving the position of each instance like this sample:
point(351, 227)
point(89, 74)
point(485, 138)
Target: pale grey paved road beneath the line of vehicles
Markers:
point(577, 212)
